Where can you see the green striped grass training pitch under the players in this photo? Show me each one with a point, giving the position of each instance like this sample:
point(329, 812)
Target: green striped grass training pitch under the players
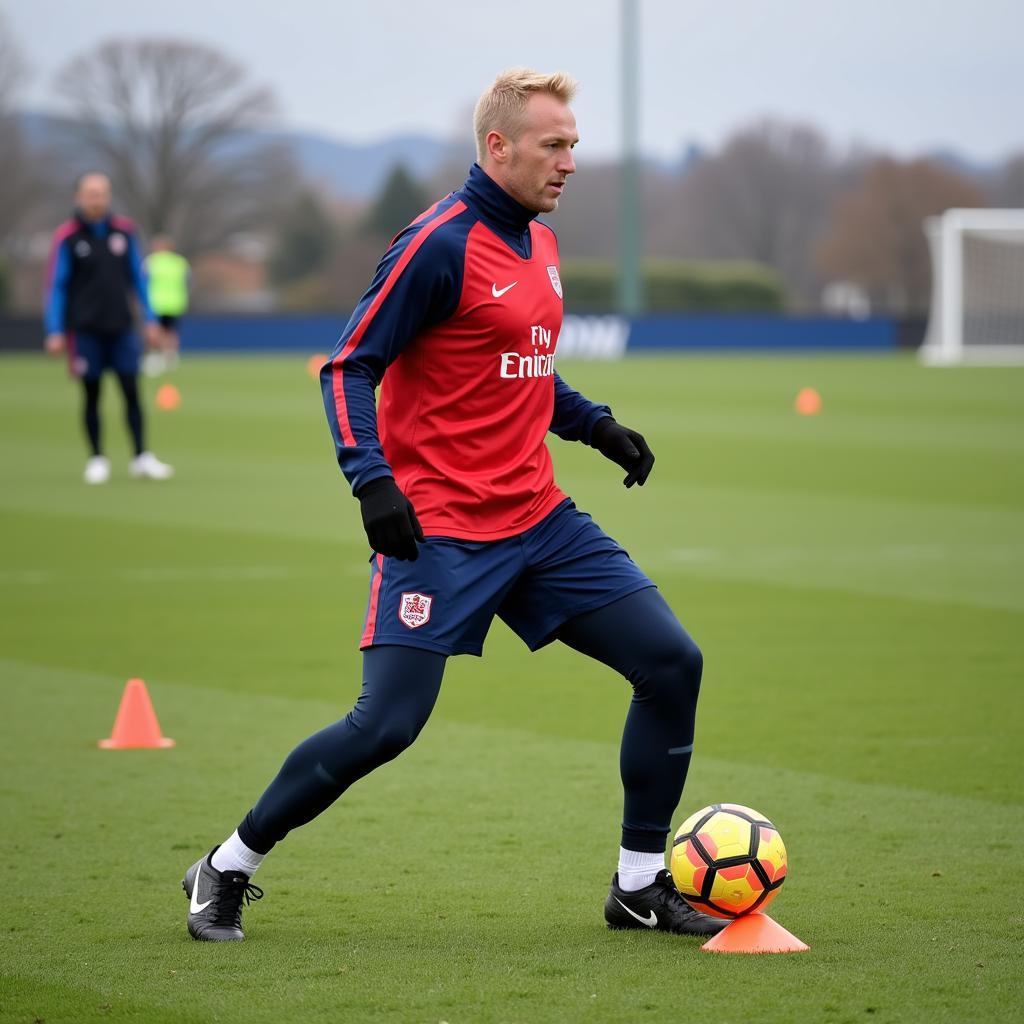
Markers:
point(856, 580)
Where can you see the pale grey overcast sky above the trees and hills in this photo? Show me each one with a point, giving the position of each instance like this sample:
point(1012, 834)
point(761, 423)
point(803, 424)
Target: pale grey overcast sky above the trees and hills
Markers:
point(906, 75)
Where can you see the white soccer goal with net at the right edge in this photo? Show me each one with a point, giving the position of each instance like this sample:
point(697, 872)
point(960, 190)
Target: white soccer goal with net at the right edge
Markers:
point(977, 312)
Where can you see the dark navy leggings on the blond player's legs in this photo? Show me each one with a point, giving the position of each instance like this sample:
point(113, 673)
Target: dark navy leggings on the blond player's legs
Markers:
point(638, 636)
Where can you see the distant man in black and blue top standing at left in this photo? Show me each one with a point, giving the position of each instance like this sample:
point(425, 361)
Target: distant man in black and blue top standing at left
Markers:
point(95, 271)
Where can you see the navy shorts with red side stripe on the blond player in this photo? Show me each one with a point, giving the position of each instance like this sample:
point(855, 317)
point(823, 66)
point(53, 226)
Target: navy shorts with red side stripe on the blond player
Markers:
point(447, 600)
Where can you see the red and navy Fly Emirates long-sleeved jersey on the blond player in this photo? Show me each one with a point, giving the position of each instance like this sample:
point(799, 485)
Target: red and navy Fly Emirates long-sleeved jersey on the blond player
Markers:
point(459, 328)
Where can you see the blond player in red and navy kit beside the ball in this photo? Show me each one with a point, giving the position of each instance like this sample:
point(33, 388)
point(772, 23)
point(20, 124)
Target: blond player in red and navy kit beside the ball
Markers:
point(455, 484)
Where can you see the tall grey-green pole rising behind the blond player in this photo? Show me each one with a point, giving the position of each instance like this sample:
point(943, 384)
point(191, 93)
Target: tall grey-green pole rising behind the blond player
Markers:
point(630, 283)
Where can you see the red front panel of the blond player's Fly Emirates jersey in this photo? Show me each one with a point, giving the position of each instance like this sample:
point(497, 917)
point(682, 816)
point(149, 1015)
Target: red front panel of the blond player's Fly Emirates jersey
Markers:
point(465, 410)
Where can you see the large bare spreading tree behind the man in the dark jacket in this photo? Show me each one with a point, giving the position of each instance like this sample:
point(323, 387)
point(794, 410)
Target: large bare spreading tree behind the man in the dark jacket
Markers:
point(175, 123)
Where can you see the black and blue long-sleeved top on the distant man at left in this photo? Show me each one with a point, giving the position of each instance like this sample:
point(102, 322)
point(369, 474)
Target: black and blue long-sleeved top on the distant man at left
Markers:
point(95, 268)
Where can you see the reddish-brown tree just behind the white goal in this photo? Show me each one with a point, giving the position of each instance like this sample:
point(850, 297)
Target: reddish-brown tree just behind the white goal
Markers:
point(877, 238)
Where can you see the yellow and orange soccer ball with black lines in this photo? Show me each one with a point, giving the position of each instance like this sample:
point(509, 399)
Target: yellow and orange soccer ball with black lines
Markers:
point(729, 861)
